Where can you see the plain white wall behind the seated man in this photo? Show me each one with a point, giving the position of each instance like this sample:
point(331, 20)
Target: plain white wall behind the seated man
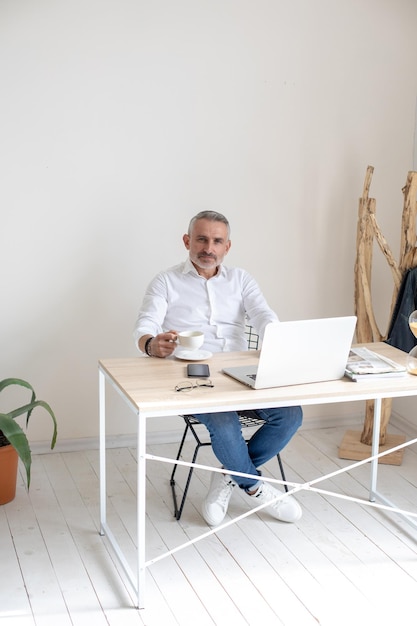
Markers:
point(122, 118)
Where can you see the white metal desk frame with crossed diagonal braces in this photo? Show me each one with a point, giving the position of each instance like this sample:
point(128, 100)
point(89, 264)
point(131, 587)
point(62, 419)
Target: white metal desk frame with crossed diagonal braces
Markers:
point(138, 581)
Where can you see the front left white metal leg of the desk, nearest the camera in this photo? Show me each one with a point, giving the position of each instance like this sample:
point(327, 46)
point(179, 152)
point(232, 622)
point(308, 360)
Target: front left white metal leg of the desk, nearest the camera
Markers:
point(141, 509)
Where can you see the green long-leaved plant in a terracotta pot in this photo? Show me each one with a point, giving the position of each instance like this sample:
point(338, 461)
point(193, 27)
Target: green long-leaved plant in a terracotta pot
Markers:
point(13, 441)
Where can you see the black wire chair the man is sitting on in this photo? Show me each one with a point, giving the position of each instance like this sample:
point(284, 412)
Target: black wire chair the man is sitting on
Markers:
point(247, 419)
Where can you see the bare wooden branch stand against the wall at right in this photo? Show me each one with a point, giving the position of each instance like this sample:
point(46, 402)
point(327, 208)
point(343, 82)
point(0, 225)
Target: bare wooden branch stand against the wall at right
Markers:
point(356, 445)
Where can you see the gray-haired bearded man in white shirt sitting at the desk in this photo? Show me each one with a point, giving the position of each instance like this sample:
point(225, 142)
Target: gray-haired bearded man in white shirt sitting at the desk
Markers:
point(203, 294)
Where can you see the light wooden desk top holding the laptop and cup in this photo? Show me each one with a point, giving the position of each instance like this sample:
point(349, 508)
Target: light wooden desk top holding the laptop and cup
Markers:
point(148, 384)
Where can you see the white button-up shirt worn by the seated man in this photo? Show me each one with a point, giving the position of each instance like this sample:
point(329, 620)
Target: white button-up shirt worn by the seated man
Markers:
point(180, 299)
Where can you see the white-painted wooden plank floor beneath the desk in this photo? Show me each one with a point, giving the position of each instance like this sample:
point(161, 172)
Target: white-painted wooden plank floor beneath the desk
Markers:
point(342, 563)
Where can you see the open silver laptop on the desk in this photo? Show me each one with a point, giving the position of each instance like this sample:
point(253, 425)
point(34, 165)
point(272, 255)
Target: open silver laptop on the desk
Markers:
point(297, 352)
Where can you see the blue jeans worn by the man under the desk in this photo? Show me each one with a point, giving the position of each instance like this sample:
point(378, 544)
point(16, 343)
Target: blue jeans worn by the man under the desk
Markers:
point(232, 450)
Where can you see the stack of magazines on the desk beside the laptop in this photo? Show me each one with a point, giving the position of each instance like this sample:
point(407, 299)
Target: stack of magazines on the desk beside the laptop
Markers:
point(364, 364)
